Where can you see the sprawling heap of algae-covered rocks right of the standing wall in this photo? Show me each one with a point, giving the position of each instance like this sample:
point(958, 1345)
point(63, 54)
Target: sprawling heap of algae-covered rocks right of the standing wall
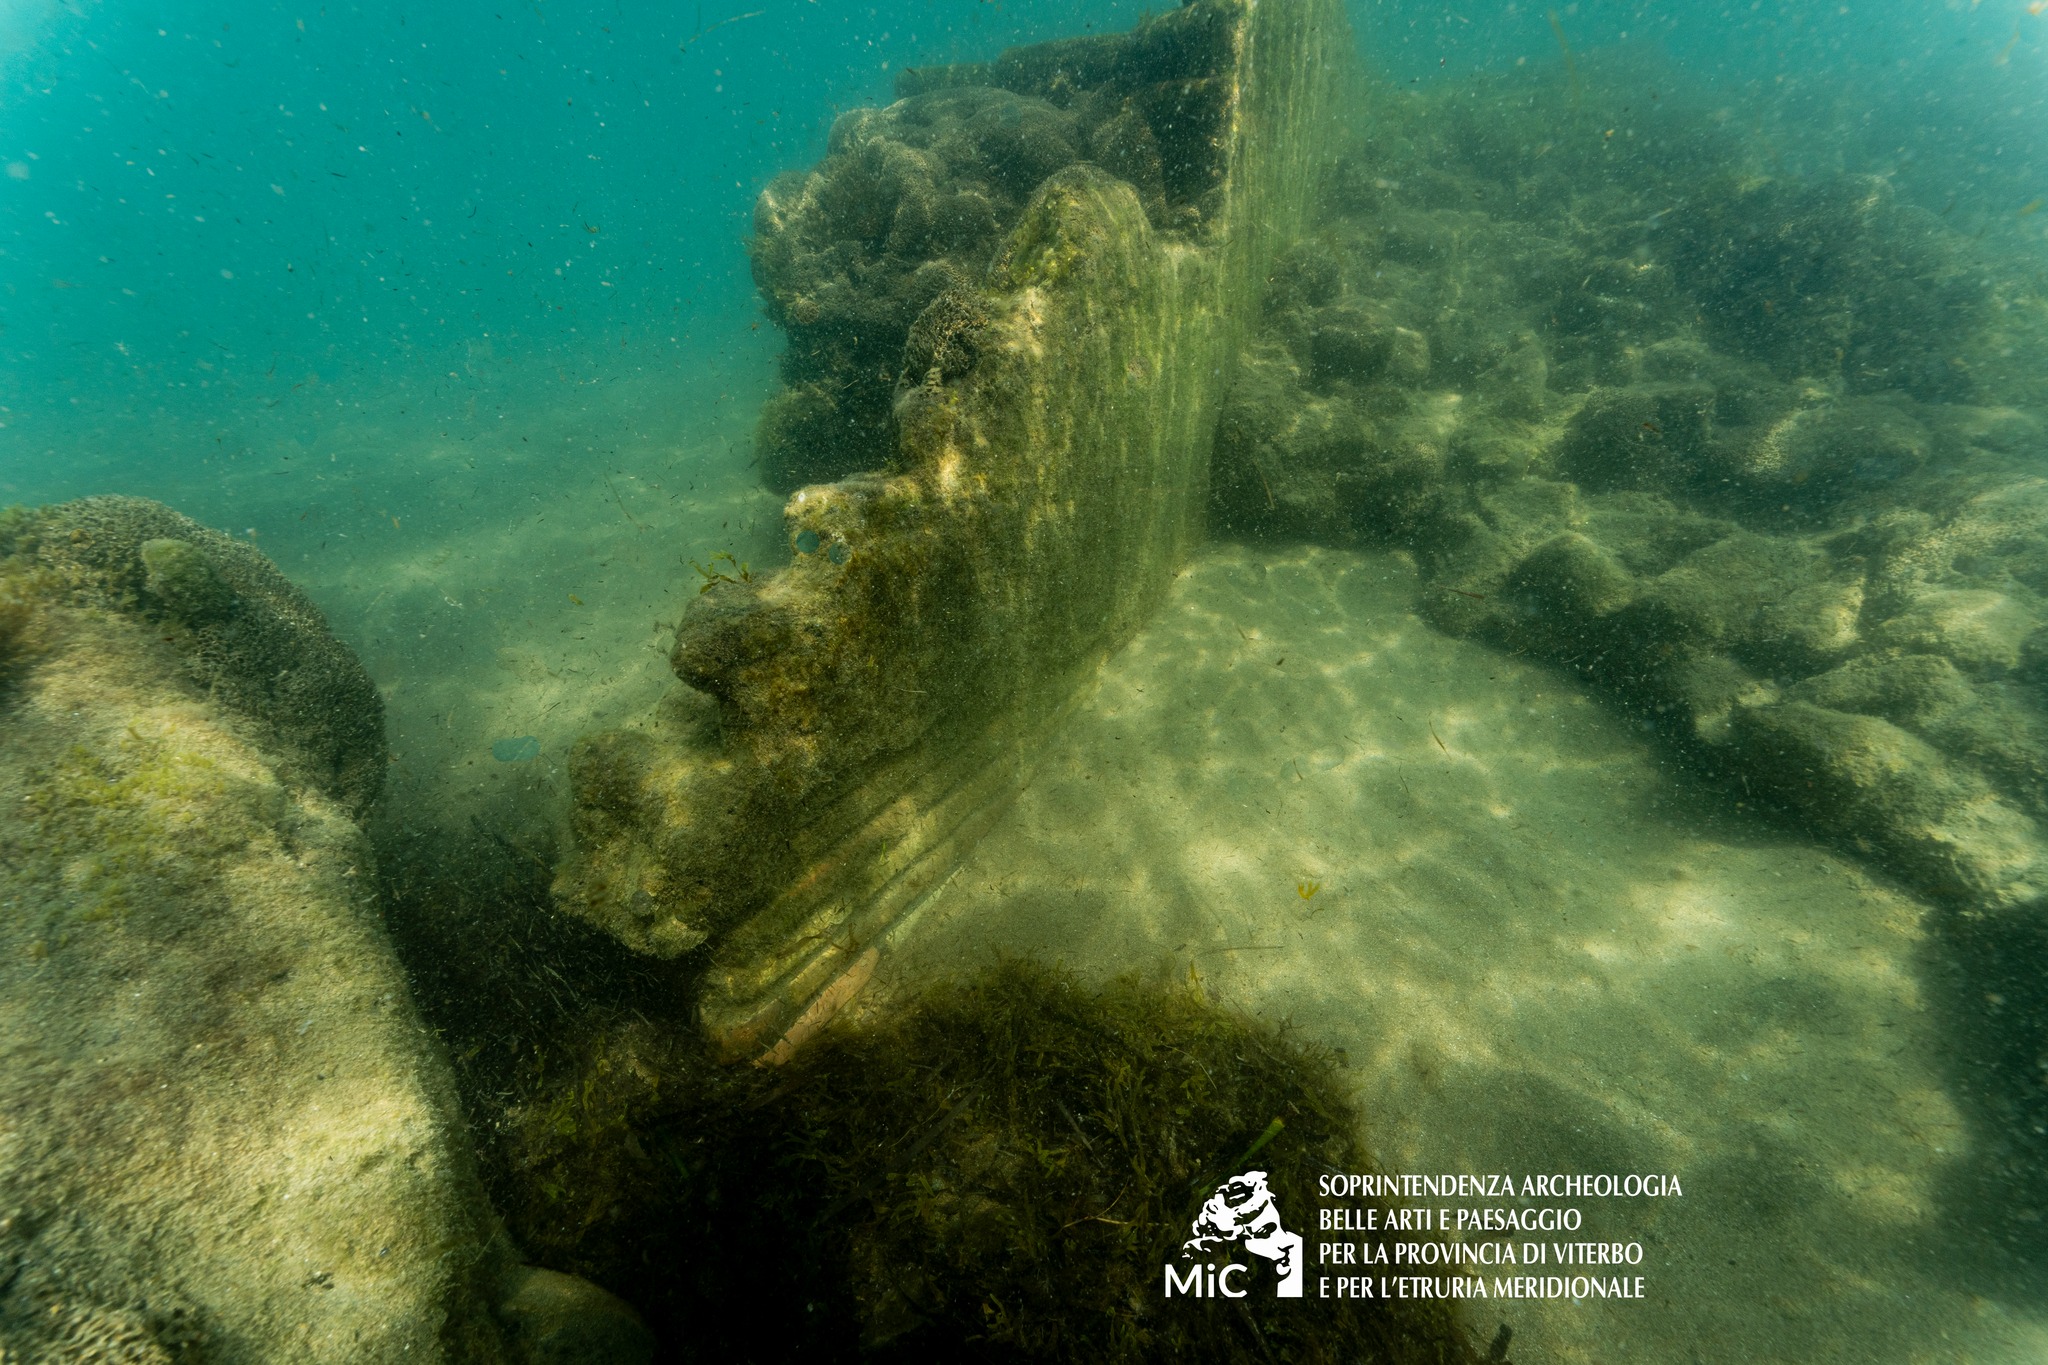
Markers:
point(1693, 431)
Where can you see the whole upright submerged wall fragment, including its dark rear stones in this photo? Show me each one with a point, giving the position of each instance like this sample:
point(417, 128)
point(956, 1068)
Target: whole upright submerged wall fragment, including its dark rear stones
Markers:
point(1023, 355)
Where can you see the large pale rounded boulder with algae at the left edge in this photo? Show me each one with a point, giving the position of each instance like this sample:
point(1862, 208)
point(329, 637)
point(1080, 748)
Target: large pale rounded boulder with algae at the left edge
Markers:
point(224, 1133)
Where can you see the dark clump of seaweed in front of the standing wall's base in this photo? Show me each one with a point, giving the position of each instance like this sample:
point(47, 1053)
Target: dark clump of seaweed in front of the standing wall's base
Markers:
point(1002, 1170)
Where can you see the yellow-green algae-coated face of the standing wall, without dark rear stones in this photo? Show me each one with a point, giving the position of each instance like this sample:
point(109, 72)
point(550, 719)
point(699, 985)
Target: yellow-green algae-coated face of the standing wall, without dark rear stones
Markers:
point(878, 703)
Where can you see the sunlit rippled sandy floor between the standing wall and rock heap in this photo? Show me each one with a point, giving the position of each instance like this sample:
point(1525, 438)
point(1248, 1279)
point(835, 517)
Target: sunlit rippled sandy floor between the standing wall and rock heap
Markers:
point(1537, 949)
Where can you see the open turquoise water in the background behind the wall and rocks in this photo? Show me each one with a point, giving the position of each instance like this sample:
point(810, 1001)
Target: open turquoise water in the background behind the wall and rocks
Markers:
point(374, 288)
